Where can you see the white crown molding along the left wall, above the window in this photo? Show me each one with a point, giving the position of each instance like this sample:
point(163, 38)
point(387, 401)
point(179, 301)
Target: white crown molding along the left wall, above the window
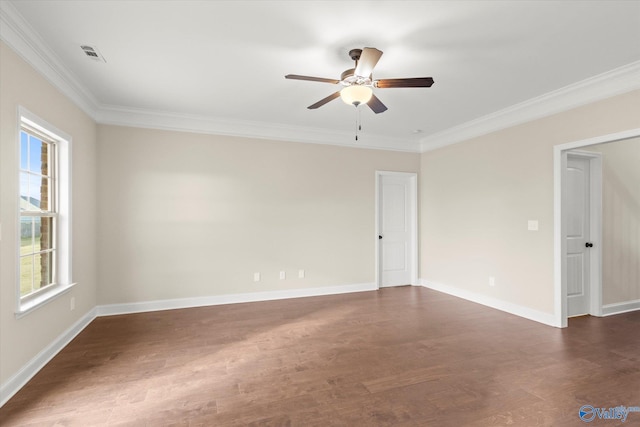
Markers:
point(25, 41)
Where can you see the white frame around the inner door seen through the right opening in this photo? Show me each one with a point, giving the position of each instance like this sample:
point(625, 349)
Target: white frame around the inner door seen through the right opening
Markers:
point(595, 227)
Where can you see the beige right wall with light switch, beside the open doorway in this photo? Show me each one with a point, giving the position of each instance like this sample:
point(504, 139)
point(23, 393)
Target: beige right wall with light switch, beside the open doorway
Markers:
point(477, 196)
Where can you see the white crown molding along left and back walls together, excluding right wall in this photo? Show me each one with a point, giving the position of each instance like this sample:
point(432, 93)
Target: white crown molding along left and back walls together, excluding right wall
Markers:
point(18, 34)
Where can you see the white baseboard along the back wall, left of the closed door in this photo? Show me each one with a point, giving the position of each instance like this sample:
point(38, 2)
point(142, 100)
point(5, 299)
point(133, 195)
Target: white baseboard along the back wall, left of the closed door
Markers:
point(140, 307)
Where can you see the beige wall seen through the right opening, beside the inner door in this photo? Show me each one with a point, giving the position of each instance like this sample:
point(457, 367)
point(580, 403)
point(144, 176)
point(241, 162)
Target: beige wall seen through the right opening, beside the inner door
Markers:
point(620, 220)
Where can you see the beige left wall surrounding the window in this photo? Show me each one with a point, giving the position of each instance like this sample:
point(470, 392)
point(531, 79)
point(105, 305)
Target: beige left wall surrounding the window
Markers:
point(22, 339)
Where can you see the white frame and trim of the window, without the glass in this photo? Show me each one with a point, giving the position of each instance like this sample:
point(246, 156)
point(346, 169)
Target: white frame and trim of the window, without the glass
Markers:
point(61, 264)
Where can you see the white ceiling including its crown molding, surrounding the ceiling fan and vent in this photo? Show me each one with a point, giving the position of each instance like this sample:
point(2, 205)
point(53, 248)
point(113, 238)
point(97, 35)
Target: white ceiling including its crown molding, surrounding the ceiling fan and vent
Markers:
point(219, 66)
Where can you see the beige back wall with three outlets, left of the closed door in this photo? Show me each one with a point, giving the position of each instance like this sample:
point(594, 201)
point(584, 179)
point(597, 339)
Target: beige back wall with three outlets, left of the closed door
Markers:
point(189, 215)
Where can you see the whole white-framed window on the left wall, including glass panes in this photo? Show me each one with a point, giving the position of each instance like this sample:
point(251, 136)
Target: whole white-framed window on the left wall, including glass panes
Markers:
point(44, 219)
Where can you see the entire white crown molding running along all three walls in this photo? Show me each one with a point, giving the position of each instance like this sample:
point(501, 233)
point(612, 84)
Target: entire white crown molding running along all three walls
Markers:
point(23, 39)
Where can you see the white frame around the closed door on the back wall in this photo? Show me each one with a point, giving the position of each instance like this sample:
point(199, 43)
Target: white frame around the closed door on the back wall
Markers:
point(413, 212)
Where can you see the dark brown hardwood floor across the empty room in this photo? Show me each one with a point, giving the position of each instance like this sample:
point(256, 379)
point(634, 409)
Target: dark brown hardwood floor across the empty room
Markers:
point(402, 356)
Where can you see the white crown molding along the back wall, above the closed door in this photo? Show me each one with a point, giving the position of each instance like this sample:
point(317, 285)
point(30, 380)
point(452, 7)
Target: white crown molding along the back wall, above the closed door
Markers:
point(149, 119)
